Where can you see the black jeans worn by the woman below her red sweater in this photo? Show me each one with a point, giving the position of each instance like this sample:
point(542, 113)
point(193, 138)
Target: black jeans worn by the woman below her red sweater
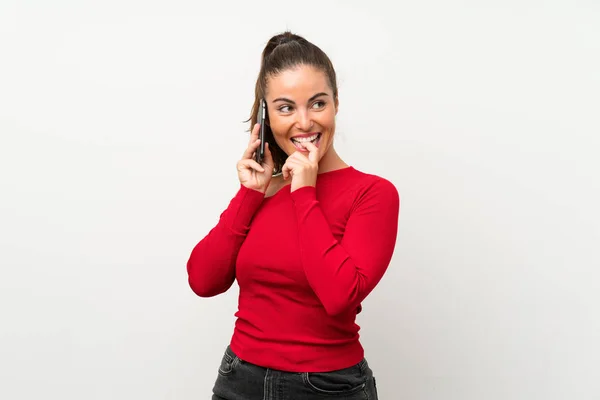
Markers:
point(241, 380)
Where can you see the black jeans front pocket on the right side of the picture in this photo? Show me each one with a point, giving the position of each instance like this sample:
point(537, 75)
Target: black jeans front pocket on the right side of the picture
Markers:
point(341, 382)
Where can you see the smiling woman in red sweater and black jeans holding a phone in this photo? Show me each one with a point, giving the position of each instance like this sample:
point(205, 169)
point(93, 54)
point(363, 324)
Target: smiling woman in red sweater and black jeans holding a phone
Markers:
point(307, 237)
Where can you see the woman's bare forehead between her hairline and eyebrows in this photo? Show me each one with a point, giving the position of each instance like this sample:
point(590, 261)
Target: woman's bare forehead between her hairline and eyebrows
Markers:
point(300, 82)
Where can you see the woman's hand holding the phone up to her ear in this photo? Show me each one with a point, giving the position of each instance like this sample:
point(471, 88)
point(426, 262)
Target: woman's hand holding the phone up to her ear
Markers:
point(251, 174)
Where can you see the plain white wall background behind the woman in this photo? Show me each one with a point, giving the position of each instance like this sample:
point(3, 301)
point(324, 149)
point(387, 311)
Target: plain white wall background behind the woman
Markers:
point(121, 122)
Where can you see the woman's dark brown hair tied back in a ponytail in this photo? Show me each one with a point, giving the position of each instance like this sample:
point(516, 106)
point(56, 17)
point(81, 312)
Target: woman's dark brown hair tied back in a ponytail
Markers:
point(282, 52)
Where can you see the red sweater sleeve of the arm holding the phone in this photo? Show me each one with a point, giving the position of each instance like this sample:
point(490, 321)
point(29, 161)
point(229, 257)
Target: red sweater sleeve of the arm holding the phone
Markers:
point(211, 266)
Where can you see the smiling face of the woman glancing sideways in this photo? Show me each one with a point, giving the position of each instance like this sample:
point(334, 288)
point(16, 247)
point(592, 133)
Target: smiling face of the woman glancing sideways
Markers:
point(301, 108)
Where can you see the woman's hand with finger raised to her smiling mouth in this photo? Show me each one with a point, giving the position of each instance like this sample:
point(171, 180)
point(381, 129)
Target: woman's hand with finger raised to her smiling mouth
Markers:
point(302, 168)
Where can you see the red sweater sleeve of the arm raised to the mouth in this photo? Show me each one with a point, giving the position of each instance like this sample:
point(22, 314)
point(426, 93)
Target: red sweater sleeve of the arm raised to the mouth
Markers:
point(343, 273)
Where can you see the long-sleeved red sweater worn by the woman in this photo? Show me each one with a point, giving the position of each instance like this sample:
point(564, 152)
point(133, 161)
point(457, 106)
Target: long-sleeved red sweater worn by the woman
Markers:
point(304, 262)
